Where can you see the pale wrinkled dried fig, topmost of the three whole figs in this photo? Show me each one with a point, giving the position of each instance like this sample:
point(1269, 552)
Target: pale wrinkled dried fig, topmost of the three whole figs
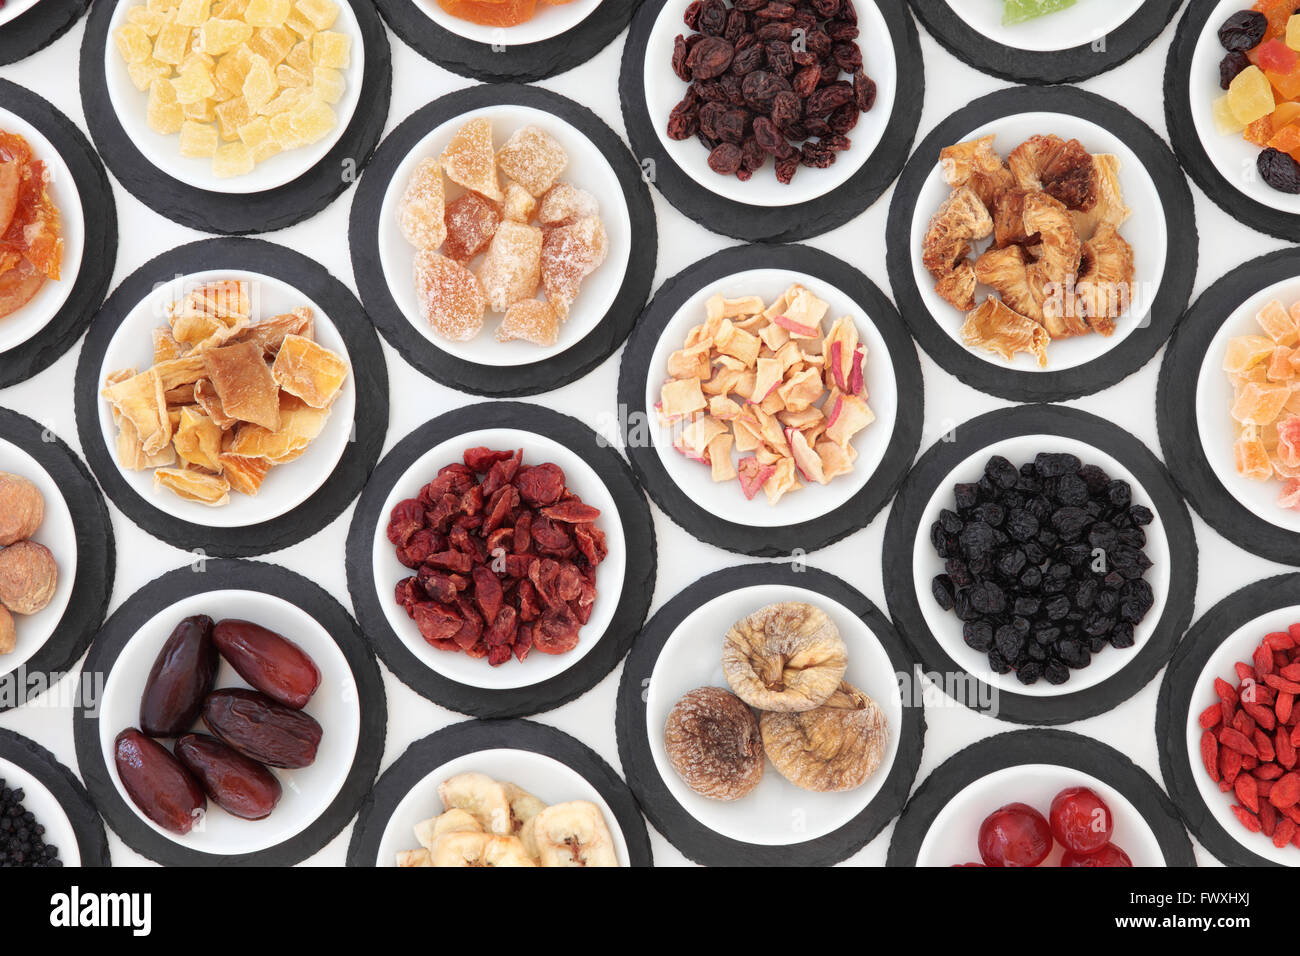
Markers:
point(785, 657)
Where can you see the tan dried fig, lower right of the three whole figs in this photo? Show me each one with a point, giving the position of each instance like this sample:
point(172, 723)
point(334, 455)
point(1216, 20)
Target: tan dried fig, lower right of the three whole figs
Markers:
point(831, 749)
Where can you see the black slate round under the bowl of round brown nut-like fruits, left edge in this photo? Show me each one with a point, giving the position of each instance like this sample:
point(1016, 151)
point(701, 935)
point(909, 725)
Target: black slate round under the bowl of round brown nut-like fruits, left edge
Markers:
point(97, 559)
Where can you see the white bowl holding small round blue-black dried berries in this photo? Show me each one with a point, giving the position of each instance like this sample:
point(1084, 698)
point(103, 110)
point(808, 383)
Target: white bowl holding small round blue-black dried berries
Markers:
point(946, 626)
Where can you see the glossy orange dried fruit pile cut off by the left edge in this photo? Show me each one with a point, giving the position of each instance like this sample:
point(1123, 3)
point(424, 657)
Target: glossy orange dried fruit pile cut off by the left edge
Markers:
point(32, 245)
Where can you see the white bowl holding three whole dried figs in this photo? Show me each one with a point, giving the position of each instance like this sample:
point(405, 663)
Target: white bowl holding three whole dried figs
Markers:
point(777, 812)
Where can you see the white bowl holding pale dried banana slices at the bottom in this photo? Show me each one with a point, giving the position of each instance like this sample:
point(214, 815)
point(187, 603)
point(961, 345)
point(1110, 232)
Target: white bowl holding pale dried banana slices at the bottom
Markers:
point(544, 777)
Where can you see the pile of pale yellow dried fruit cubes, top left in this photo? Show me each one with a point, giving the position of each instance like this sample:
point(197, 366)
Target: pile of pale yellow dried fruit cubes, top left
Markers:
point(240, 81)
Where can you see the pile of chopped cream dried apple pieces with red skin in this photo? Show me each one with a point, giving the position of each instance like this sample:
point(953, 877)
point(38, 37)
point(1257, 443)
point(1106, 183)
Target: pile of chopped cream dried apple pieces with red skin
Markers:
point(768, 384)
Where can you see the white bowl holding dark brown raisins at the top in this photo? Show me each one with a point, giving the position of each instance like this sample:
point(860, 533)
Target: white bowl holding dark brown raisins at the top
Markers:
point(665, 90)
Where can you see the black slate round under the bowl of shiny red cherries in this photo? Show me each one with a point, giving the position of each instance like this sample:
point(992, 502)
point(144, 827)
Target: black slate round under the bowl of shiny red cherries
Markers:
point(1055, 747)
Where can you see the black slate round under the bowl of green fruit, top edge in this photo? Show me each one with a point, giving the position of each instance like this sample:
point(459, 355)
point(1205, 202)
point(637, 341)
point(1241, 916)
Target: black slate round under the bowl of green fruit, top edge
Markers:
point(1068, 66)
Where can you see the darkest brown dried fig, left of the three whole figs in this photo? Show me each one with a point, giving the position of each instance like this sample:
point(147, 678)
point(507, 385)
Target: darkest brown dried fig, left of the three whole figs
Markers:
point(714, 745)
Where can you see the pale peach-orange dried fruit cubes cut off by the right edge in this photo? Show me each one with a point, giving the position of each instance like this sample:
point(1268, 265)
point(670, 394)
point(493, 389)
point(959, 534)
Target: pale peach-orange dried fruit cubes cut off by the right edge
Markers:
point(1267, 401)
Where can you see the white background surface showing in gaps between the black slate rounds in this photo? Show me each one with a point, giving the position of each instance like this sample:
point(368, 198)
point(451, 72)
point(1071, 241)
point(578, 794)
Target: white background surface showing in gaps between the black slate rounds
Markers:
point(950, 85)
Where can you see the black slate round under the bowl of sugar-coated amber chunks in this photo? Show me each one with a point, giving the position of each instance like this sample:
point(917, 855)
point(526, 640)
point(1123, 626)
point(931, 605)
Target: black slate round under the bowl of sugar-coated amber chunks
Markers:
point(500, 382)
